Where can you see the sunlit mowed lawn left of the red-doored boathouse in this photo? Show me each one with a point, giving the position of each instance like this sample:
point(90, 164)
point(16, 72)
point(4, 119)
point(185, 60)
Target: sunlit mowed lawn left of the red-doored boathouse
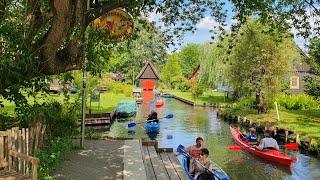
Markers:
point(108, 102)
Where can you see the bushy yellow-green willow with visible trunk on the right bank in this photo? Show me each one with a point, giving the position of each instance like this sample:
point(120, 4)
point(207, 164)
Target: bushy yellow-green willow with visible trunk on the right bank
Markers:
point(258, 63)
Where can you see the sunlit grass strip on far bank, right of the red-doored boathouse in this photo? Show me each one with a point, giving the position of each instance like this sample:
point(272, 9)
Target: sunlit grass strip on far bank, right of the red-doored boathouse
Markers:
point(209, 97)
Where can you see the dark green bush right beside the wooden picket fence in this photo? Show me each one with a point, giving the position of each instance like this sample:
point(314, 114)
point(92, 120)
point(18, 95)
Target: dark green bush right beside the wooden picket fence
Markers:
point(52, 155)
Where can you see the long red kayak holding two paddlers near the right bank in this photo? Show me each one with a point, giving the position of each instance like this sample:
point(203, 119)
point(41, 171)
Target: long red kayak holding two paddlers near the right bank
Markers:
point(271, 155)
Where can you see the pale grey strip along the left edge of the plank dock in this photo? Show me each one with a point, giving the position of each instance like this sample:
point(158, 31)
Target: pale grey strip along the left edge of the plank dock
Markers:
point(133, 161)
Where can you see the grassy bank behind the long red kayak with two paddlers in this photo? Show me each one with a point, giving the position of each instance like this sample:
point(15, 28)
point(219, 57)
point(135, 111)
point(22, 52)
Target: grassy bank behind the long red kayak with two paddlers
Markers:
point(303, 122)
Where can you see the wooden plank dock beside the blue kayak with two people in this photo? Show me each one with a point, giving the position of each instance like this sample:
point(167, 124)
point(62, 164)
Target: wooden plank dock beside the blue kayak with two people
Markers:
point(147, 161)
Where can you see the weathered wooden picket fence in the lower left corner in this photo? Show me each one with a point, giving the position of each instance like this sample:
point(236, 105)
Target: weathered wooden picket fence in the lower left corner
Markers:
point(14, 154)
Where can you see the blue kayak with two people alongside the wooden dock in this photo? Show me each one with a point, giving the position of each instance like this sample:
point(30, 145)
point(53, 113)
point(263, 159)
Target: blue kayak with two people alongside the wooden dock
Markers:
point(218, 174)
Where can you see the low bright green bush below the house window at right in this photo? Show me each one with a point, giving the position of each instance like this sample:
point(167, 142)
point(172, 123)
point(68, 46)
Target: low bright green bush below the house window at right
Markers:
point(297, 102)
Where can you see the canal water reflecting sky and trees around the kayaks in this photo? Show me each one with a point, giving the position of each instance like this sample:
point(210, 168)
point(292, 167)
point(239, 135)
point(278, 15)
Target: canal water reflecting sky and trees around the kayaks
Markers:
point(189, 123)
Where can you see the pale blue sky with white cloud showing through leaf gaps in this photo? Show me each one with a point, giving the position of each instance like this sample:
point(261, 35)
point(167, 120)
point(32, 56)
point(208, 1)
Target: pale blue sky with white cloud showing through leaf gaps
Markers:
point(203, 35)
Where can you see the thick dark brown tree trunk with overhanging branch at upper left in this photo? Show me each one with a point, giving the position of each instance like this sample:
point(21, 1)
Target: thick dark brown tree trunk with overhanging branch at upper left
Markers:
point(59, 52)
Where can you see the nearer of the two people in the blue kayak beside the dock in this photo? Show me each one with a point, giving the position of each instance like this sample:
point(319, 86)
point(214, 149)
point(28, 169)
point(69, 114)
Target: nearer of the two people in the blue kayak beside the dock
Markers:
point(200, 167)
